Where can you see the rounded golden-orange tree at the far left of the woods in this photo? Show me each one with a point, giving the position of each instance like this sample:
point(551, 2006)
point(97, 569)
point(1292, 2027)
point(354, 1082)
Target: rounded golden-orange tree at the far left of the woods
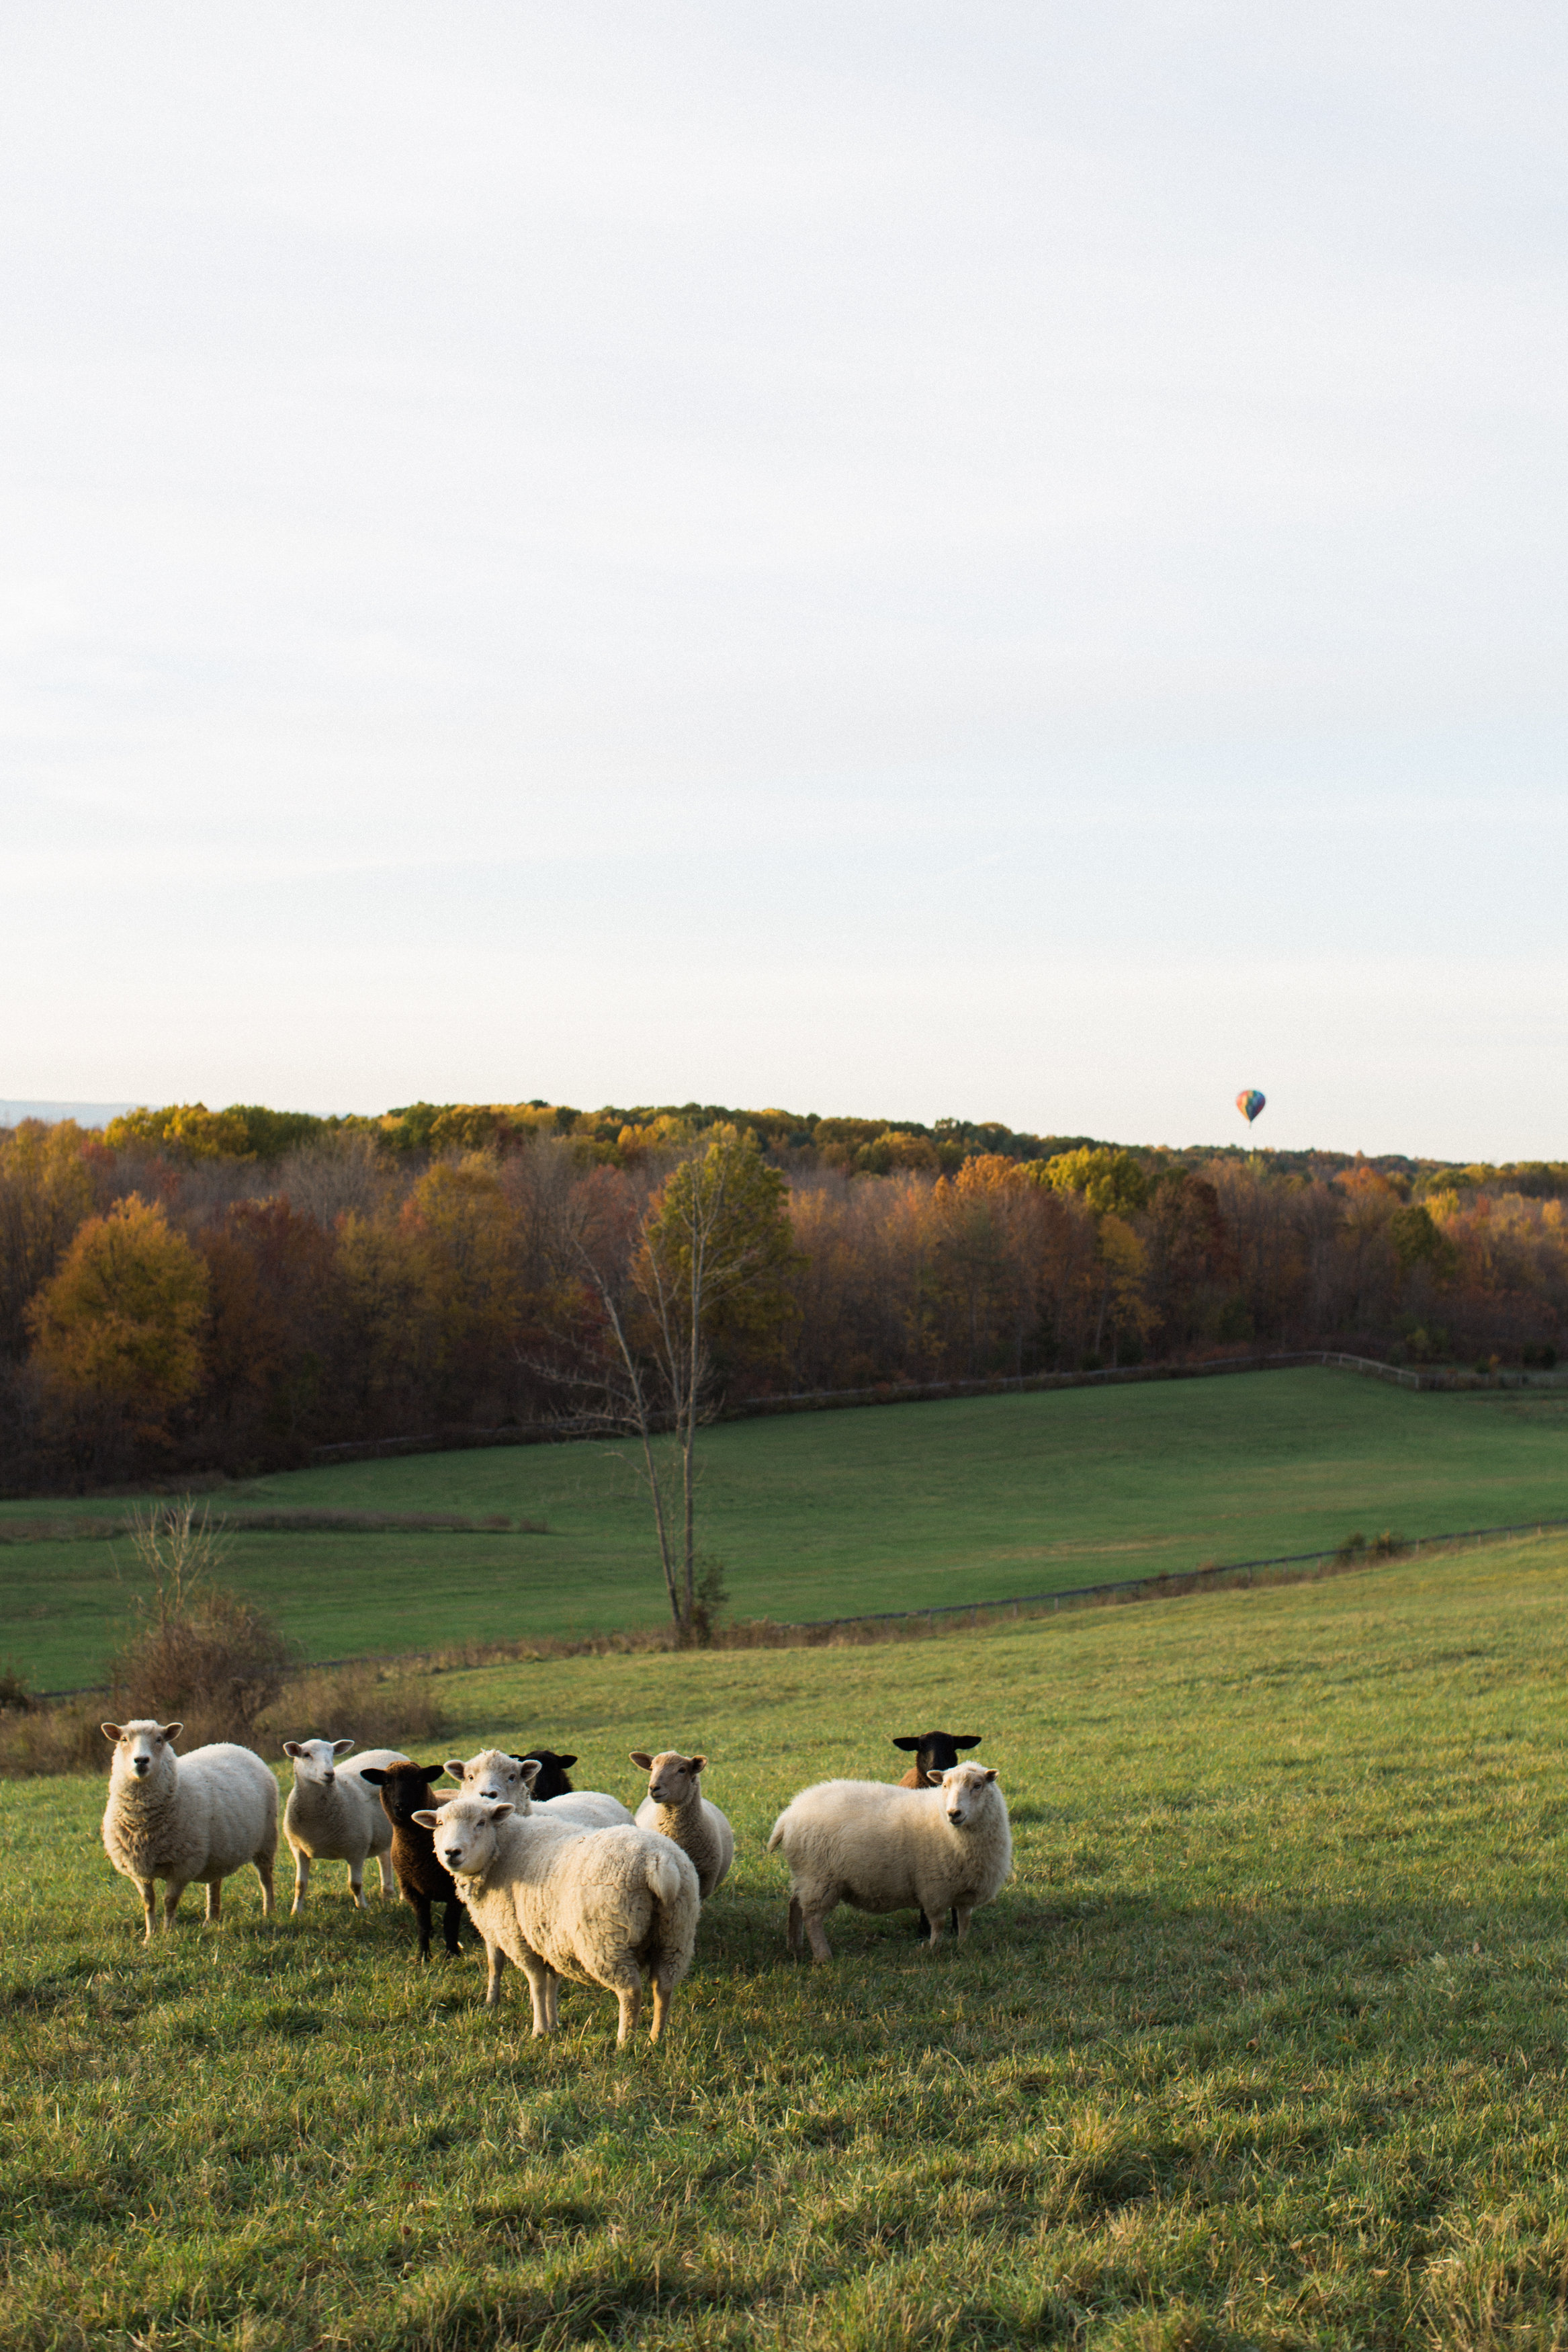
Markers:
point(121, 1323)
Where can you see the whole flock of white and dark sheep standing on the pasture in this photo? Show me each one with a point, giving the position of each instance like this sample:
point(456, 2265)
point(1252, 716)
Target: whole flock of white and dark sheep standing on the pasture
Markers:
point(558, 1880)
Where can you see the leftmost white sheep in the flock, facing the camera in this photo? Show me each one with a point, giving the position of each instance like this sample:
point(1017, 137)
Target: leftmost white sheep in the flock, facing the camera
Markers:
point(182, 1819)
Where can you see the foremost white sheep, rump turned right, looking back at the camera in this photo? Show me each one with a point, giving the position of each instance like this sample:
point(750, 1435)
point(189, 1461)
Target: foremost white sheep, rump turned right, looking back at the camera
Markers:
point(598, 1906)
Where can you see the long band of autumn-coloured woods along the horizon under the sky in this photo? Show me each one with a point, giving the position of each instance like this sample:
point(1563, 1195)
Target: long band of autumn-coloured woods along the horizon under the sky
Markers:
point(229, 1290)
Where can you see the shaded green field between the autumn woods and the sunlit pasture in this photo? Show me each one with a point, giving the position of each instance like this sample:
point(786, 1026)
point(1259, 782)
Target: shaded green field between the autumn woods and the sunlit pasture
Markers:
point(859, 1511)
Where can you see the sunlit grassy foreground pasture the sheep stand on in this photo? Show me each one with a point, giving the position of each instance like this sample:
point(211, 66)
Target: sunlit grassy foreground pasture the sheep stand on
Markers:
point(1261, 2047)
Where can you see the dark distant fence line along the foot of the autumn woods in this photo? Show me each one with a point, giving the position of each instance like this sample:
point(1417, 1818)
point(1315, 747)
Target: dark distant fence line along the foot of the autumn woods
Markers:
point(826, 1401)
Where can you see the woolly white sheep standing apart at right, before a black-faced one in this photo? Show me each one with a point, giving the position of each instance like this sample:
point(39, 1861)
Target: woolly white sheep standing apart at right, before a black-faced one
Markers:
point(894, 1850)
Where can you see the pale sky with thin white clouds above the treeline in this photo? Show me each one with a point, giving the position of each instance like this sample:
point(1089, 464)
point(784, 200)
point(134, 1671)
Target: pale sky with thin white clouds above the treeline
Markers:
point(977, 561)
